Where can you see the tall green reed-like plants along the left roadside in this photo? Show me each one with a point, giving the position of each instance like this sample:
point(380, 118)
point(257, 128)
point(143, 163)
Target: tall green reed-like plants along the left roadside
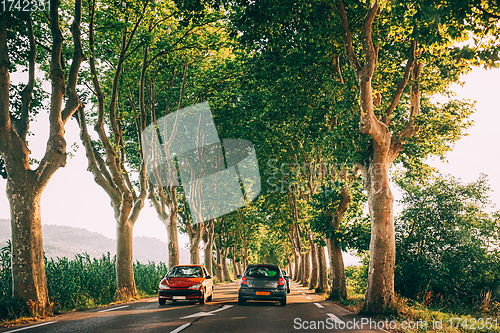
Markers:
point(77, 284)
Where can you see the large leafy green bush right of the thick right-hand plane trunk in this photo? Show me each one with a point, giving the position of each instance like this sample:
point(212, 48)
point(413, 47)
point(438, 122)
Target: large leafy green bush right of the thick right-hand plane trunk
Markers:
point(446, 240)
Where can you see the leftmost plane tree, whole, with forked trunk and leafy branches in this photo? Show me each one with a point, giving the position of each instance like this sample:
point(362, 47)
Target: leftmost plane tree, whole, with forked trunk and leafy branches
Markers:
point(29, 40)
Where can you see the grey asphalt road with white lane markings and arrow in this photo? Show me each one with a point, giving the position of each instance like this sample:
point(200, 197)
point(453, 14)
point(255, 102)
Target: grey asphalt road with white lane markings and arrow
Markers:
point(304, 312)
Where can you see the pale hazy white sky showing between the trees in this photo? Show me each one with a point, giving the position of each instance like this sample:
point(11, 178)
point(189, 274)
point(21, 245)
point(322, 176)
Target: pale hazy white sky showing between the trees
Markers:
point(72, 198)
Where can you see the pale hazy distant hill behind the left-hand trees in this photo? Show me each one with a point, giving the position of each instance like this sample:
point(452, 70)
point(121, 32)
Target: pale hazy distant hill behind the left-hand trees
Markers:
point(63, 241)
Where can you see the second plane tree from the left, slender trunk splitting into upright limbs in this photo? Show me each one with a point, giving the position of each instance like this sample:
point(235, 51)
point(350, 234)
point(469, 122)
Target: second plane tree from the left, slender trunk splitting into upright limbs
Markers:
point(113, 43)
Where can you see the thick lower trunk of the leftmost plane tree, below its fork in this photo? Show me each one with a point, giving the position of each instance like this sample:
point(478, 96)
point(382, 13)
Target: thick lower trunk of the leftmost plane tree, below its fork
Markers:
point(28, 270)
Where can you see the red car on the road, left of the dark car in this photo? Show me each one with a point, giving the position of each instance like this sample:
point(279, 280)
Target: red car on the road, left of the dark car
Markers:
point(186, 282)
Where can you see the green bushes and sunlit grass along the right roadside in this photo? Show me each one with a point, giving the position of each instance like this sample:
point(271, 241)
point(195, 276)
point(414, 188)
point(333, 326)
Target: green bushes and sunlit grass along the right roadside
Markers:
point(447, 265)
